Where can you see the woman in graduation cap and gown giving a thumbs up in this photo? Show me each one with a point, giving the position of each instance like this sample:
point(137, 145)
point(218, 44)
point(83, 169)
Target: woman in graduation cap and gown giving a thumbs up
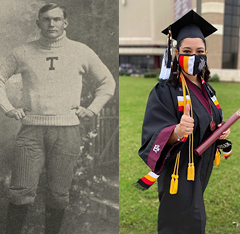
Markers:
point(181, 113)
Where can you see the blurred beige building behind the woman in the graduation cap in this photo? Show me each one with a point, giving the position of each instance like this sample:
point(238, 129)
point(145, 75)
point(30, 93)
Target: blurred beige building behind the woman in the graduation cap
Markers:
point(142, 44)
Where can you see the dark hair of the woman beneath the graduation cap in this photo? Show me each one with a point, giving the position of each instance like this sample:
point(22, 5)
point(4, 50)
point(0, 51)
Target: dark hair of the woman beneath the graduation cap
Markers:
point(173, 79)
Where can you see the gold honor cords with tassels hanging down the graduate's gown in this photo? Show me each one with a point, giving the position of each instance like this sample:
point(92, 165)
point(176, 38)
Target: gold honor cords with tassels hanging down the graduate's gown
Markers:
point(191, 168)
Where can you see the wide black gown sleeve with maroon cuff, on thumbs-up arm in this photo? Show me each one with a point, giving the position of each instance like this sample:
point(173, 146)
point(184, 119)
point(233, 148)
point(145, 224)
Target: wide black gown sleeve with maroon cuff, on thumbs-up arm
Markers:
point(159, 122)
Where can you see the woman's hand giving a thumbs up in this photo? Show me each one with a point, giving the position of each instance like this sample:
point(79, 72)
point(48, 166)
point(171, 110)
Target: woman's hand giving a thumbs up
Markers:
point(185, 127)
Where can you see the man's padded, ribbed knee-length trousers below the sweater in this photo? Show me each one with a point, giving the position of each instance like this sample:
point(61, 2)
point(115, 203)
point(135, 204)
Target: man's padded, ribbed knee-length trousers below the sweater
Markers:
point(56, 148)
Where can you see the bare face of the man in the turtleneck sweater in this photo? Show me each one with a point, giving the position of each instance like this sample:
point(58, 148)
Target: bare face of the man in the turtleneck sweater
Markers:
point(52, 23)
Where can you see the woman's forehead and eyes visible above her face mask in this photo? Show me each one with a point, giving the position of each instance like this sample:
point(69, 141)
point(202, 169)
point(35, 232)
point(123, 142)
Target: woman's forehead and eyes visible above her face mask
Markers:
point(191, 46)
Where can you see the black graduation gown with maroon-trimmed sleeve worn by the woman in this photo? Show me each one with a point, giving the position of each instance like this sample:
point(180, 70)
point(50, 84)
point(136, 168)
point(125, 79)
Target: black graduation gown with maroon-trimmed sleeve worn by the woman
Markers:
point(184, 212)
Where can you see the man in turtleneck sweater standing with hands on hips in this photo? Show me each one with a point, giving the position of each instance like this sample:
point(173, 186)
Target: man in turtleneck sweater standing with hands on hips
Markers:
point(52, 69)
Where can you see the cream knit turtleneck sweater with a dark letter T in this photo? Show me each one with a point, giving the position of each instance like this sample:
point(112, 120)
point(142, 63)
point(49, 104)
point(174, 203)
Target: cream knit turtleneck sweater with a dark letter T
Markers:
point(52, 73)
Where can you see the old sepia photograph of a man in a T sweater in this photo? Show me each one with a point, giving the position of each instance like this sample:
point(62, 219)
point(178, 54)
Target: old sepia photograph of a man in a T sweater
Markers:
point(59, 117)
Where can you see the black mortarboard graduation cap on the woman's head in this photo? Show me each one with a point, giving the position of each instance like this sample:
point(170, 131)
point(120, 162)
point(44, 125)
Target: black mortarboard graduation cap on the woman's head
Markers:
point(191, 25)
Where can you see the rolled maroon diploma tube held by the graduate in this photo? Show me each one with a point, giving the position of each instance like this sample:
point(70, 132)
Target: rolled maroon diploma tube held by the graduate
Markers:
point(214, 136)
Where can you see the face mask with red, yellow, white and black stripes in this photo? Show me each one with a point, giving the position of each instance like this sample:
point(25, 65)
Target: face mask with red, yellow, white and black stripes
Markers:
point(192, 64)
